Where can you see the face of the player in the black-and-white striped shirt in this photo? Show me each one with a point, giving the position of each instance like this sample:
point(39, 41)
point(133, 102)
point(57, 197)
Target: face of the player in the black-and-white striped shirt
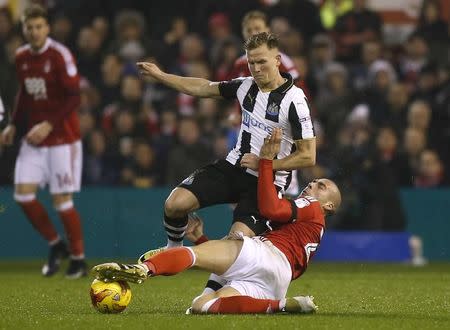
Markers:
point(263, 64)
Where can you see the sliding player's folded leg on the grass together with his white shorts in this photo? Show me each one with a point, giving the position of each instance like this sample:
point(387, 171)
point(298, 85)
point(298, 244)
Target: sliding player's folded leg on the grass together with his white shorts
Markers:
point(257, 283)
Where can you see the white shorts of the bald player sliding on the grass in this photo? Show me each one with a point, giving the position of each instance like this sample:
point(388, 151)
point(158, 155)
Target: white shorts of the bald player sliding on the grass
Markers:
point(260, 271)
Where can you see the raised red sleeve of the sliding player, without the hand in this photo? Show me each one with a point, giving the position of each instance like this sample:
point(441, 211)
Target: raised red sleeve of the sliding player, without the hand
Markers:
point(269, 204)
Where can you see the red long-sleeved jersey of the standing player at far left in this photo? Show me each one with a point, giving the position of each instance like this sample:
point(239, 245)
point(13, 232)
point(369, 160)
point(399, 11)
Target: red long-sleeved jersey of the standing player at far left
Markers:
point(49, 90)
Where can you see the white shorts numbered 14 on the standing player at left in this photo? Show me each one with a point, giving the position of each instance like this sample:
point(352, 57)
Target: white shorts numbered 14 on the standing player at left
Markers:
point(59, 166)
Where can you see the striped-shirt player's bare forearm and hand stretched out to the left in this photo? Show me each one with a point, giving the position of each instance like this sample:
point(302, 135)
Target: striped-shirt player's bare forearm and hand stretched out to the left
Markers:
point(188, 85)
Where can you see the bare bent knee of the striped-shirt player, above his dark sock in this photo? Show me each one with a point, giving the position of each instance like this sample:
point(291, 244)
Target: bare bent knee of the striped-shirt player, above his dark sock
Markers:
point(179, 203)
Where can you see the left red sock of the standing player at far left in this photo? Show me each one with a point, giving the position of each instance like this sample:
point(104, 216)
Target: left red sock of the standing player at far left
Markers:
point(39, 218)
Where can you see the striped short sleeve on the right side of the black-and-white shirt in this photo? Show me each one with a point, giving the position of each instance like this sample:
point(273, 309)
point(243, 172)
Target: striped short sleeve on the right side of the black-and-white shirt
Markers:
point(300, 119)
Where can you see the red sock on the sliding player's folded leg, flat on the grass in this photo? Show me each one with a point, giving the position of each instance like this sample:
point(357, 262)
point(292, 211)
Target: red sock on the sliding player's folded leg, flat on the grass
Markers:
point(244, 305)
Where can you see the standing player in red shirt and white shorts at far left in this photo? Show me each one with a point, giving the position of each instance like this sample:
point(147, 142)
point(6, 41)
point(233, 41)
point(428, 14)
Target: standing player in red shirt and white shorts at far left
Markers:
point(51, 151)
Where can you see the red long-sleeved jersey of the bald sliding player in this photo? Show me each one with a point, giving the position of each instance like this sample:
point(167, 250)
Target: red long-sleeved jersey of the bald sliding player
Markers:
point(302, 221)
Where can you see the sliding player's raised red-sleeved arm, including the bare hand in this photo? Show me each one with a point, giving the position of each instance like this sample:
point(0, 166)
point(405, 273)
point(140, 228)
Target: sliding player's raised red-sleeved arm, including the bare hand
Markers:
point(269, 204)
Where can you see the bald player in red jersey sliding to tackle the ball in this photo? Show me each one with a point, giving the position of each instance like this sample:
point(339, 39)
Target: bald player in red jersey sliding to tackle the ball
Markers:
point(258, 270)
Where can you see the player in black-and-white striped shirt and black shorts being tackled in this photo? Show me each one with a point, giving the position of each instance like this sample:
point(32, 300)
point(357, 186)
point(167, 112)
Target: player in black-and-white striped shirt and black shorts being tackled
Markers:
point(268, 100)
